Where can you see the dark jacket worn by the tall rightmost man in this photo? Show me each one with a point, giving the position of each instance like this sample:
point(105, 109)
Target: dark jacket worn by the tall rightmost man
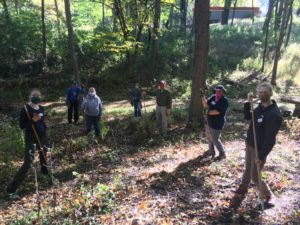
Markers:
point(267, 123)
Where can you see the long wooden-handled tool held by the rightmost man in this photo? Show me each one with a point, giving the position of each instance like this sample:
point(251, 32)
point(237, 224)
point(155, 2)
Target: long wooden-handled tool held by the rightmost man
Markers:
point(256, 152)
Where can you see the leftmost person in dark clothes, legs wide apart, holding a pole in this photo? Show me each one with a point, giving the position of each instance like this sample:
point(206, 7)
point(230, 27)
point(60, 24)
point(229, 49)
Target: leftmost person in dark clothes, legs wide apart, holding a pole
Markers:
point(37, 116)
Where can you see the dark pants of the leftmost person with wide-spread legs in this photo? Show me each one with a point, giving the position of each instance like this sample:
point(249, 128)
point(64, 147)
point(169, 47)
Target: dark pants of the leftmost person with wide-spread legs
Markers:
point(28, 159)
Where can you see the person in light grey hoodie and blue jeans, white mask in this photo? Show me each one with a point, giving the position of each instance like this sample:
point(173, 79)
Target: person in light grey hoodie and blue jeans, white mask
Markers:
point(93, 111)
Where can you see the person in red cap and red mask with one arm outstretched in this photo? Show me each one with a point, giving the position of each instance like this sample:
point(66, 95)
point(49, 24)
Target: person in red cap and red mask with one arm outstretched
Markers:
point(163, 107)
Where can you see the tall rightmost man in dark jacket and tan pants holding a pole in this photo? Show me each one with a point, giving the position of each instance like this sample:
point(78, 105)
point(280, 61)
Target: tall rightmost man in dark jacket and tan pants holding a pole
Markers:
point(267, 119)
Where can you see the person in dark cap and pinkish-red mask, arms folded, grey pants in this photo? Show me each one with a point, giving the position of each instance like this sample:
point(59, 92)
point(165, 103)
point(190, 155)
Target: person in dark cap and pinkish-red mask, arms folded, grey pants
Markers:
point(217, 105)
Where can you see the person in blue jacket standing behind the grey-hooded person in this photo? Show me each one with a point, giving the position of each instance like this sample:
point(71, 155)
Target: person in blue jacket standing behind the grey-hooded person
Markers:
point(73, 101)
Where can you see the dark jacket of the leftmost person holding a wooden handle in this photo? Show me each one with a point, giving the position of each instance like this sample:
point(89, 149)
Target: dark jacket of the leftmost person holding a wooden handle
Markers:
point(26, 124)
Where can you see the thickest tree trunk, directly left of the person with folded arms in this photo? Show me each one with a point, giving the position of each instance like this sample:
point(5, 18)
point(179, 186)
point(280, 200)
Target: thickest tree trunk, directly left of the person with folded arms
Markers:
point(200, 60)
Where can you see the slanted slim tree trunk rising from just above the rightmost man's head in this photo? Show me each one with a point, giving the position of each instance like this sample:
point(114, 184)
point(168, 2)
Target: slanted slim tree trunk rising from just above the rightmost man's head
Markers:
point(279, 42)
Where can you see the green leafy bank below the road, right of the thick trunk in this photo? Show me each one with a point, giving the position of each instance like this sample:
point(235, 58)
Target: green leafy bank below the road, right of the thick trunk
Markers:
point(230, 45)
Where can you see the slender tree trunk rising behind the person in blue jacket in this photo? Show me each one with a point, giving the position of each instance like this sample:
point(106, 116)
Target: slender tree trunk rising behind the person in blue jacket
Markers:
point(72, 53)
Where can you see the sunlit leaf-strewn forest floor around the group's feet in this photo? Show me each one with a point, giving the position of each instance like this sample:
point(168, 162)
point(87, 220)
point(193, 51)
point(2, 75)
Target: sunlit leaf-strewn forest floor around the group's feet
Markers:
point(140, 178)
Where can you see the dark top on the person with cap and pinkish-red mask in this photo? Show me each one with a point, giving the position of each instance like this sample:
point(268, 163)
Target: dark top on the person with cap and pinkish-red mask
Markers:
point(218, 121)
